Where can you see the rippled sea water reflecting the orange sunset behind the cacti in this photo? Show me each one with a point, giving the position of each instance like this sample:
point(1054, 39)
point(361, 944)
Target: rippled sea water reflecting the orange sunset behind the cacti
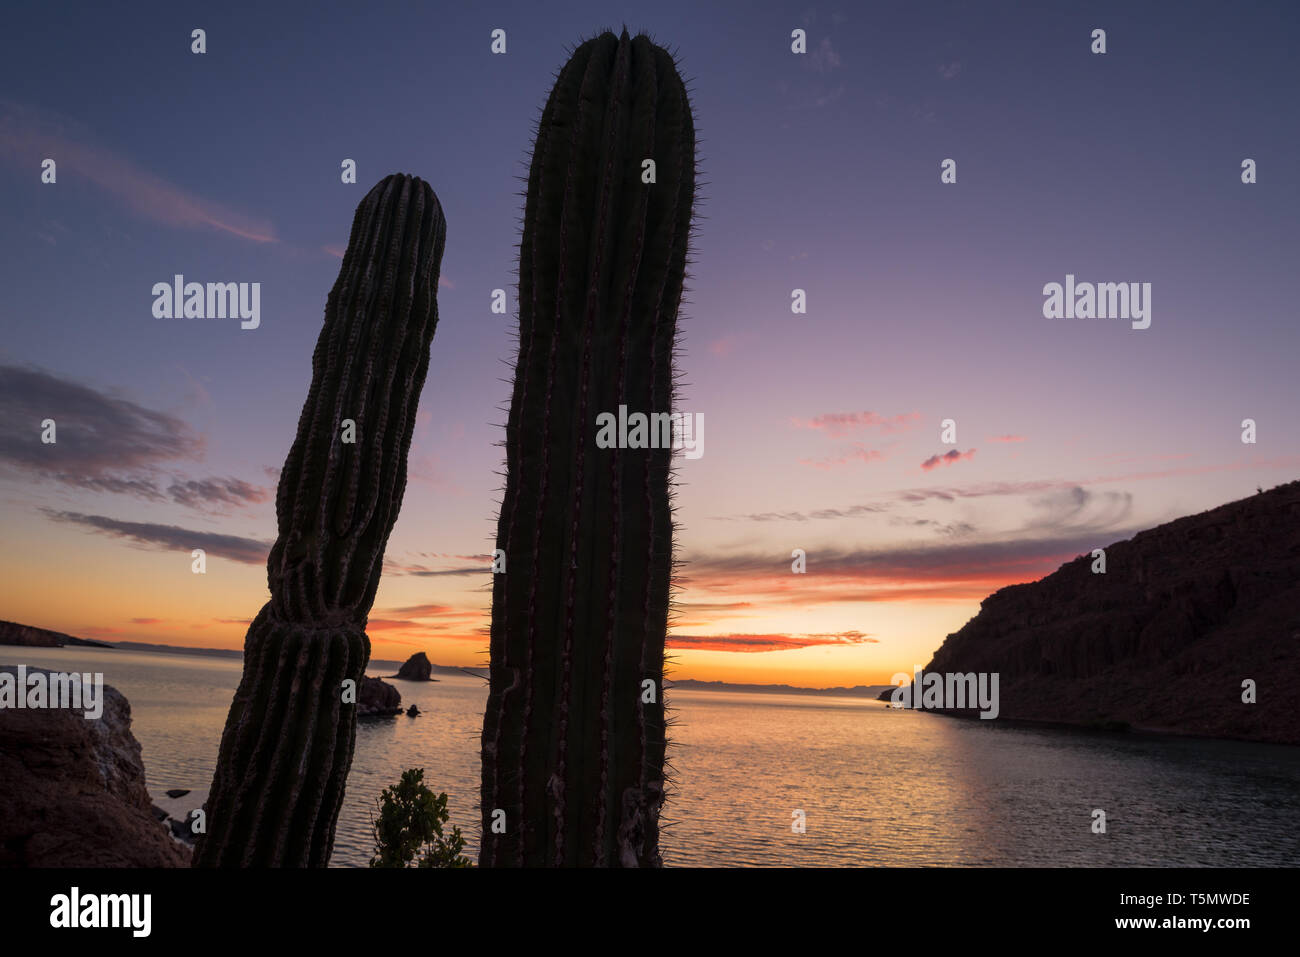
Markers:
point(877, 787)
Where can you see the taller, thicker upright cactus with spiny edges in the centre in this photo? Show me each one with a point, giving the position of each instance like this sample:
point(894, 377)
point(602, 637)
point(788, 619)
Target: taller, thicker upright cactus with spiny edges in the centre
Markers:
point(574, 730)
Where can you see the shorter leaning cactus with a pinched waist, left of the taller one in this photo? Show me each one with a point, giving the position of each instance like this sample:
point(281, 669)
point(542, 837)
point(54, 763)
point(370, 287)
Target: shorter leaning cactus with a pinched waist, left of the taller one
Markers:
point(288, 743)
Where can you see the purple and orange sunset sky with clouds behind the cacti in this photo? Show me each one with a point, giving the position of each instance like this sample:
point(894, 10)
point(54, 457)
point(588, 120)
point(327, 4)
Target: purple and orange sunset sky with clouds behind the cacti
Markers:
point(820, 171)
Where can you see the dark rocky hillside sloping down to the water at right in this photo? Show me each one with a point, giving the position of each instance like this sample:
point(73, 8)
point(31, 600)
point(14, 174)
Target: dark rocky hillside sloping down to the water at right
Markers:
point(1184, 614)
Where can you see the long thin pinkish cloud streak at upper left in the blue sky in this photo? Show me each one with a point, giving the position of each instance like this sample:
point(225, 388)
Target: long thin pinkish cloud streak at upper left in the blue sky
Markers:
point(29, 136)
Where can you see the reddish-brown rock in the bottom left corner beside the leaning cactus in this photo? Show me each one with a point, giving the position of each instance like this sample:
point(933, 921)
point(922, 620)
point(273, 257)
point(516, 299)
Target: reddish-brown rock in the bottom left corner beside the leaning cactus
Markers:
point(72, 791)
